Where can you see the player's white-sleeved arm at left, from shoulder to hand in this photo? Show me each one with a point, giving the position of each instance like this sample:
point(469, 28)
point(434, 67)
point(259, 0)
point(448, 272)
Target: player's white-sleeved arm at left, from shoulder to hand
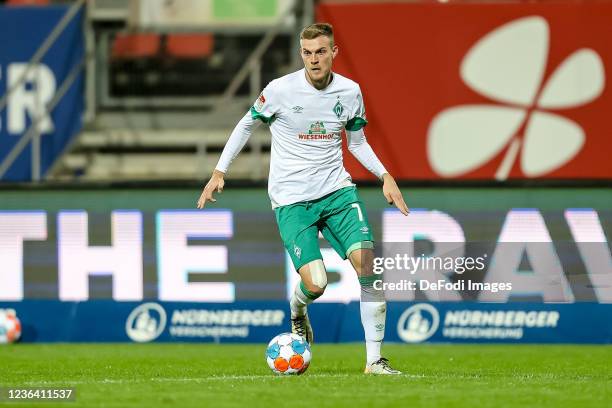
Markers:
point(261, 111)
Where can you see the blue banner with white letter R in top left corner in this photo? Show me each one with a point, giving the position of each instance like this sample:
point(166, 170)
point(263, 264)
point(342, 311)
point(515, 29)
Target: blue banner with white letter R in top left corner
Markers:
point(42, 91)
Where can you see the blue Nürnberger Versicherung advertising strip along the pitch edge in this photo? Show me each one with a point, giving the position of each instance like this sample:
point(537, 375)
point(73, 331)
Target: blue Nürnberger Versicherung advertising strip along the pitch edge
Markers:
point(259, 321)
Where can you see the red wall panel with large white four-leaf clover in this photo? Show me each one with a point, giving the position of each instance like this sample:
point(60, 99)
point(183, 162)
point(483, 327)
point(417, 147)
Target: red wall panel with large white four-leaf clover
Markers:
point(480, 89)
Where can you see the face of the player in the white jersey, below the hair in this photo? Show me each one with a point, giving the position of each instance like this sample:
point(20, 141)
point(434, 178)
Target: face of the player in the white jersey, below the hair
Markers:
point(318, 55)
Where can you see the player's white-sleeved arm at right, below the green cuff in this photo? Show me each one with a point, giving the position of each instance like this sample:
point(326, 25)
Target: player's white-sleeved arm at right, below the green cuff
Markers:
point(361, 149)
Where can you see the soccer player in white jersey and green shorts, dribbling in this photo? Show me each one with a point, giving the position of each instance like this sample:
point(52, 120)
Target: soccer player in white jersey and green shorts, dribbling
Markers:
point(310, 189)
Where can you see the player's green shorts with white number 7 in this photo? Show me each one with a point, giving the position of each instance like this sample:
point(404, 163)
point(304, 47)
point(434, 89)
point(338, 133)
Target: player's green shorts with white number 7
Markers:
point(341, 218)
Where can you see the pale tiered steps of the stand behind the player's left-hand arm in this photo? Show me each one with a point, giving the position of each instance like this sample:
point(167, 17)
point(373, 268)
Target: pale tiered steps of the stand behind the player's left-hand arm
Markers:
point(128, 154)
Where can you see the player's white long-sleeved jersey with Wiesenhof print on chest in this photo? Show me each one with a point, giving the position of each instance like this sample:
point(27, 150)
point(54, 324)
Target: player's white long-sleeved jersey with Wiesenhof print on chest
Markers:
point(306, 126)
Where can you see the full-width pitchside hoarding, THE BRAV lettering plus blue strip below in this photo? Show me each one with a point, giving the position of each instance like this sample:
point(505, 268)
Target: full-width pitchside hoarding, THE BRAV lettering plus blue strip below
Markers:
point(75, 264)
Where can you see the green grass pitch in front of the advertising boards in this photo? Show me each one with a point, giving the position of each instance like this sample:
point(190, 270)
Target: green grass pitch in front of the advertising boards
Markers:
point(203, 375)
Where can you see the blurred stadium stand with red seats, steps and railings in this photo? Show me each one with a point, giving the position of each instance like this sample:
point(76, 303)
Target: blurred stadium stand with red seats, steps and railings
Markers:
point(166, 98)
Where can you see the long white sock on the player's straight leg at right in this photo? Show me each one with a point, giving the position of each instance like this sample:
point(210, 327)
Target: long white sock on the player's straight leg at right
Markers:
point(373, 310)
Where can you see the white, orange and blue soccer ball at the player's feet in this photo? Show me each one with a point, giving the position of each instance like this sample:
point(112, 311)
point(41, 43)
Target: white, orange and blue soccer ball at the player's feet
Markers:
point(288, 353)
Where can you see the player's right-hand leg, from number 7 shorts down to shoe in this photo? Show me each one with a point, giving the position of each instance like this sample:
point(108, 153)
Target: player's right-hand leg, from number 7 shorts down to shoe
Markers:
point(348, 231)
